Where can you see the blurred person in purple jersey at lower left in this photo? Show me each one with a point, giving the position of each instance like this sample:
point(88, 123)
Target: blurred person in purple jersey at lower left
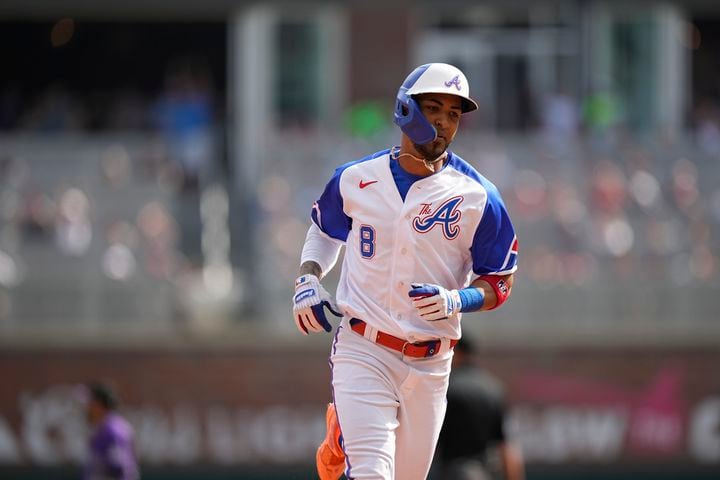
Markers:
point(111, 452)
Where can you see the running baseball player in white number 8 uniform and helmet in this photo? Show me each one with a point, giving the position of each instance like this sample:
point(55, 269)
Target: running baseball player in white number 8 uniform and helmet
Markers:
point(427, 238)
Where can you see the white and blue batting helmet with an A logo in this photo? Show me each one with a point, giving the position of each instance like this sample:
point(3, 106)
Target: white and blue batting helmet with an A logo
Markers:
point(428, 78)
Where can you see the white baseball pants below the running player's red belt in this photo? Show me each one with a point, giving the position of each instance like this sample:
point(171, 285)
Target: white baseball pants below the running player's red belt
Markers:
point(390, 407)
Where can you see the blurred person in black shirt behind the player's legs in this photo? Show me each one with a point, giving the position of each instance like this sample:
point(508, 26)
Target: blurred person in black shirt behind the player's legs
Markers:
point(473, 444)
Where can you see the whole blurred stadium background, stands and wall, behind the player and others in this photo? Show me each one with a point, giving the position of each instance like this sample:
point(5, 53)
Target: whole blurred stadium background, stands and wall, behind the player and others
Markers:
point(158, 160)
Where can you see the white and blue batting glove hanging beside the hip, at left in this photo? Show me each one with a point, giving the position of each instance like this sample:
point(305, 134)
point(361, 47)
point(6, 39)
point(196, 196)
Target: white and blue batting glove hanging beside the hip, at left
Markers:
point(308, 305)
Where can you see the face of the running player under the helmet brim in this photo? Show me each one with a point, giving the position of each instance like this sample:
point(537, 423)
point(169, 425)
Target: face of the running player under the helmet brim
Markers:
point(443, 111)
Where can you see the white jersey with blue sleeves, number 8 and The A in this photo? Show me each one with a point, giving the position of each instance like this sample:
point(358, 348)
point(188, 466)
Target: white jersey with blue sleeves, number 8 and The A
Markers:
point(451, 227)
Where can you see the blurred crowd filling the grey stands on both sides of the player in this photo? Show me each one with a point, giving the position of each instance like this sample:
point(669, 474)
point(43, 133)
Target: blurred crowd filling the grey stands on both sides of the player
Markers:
point(594, 209)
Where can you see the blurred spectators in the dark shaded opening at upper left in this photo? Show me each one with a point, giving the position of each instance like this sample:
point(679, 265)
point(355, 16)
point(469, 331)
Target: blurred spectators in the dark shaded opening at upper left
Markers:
point(184, 100)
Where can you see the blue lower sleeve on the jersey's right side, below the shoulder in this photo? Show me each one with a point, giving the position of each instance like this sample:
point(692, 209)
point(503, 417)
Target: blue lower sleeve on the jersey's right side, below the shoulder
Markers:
point(495, 247)
